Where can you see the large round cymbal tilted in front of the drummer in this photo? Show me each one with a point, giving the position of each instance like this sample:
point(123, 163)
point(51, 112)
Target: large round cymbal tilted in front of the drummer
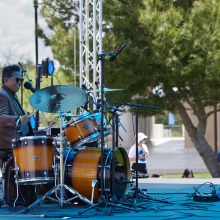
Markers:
point(61, 98)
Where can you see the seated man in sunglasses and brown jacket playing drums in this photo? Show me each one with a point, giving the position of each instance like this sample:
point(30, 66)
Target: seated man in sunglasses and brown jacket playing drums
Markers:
point(13, 120)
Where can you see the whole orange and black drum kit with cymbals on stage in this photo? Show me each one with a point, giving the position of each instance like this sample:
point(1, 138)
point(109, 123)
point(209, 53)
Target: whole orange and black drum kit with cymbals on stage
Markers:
point(69, 162)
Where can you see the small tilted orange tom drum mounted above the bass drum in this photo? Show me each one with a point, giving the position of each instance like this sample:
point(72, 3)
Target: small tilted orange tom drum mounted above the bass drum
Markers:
point(86, 129)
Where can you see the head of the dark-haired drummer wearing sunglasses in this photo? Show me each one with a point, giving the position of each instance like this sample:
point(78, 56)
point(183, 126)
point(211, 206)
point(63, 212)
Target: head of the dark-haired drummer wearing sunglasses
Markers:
point(12, 78)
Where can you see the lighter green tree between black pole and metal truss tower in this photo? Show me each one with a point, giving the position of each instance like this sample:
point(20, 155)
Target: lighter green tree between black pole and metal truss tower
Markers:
point(61, 18)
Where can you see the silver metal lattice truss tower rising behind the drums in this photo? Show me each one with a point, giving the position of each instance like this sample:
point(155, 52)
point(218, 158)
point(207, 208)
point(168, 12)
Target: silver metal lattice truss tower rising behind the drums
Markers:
point(90, 37)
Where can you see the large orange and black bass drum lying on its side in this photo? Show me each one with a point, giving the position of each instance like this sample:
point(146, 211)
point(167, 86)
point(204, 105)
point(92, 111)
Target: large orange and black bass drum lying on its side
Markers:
point(84, 166)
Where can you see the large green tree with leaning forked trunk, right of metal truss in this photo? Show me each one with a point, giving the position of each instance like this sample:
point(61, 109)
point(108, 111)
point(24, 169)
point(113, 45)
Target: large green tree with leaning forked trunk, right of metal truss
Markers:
point(171, 60)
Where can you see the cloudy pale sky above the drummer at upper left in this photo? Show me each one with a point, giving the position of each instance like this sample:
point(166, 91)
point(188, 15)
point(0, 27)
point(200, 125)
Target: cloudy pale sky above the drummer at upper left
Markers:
point(17, 32)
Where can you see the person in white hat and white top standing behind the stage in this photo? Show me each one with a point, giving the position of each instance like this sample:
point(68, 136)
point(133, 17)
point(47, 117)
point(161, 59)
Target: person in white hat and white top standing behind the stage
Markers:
point(142, 154)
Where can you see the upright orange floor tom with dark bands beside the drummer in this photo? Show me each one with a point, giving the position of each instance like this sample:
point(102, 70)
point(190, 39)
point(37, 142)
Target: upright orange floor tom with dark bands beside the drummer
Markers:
point(33, 159)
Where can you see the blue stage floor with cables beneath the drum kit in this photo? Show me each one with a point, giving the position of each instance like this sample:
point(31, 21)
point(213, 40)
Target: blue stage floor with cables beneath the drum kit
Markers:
point(158, 198)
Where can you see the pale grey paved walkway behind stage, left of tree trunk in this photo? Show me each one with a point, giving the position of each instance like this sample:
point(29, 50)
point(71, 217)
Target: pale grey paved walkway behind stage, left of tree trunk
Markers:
point(168, 155)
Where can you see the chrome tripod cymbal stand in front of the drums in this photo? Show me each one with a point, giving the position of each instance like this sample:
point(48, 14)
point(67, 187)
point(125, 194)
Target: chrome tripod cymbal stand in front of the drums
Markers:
point(61, 187)
